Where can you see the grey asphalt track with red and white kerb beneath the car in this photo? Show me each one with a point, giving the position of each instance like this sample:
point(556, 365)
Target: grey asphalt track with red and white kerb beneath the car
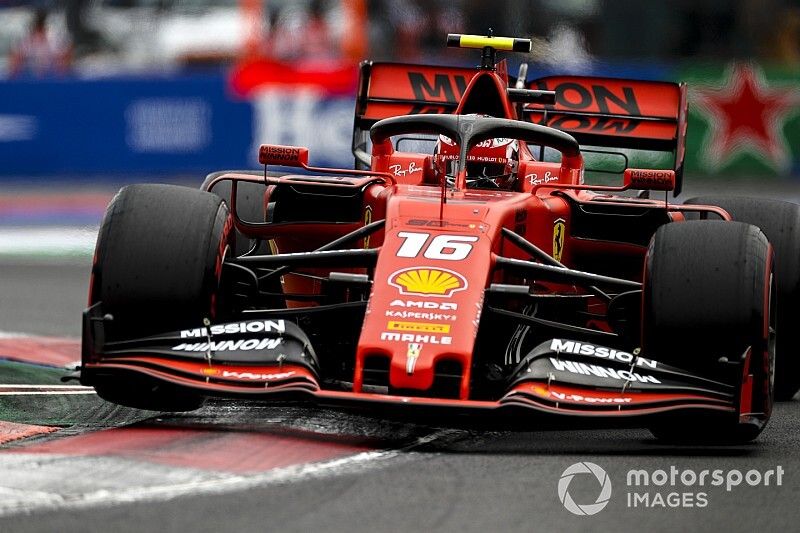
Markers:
point(248, 467)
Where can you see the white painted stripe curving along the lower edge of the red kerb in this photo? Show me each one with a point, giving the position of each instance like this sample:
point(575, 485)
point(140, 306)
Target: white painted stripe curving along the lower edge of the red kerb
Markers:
point(17, 501)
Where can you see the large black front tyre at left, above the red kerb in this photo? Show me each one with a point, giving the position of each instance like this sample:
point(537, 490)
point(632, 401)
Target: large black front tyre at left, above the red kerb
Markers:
point(157, 269)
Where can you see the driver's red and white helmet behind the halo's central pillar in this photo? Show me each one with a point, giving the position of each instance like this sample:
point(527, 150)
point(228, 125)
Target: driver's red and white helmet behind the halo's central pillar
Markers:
point(491, 164)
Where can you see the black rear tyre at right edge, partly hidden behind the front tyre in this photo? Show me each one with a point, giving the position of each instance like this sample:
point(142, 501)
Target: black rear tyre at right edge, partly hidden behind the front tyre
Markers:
point(780, 222)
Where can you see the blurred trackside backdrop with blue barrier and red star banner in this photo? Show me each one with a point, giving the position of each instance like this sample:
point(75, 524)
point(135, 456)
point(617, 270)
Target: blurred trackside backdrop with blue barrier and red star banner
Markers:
point(98, 93)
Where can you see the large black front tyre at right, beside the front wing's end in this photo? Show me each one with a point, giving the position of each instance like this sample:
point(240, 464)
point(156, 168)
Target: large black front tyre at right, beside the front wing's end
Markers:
point(706, 296)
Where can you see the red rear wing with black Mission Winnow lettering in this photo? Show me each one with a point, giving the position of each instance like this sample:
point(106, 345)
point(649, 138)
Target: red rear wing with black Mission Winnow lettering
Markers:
point(597, 111)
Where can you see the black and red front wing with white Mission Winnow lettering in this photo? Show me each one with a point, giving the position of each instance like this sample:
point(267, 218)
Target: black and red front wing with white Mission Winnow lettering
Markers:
point(556, 378)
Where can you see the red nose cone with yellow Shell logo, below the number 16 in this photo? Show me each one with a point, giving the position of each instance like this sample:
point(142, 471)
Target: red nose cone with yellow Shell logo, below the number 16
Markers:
point(423, 313)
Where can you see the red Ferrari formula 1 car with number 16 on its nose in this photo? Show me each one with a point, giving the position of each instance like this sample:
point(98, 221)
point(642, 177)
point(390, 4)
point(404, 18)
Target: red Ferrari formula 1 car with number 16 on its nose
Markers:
point(478, 274)
